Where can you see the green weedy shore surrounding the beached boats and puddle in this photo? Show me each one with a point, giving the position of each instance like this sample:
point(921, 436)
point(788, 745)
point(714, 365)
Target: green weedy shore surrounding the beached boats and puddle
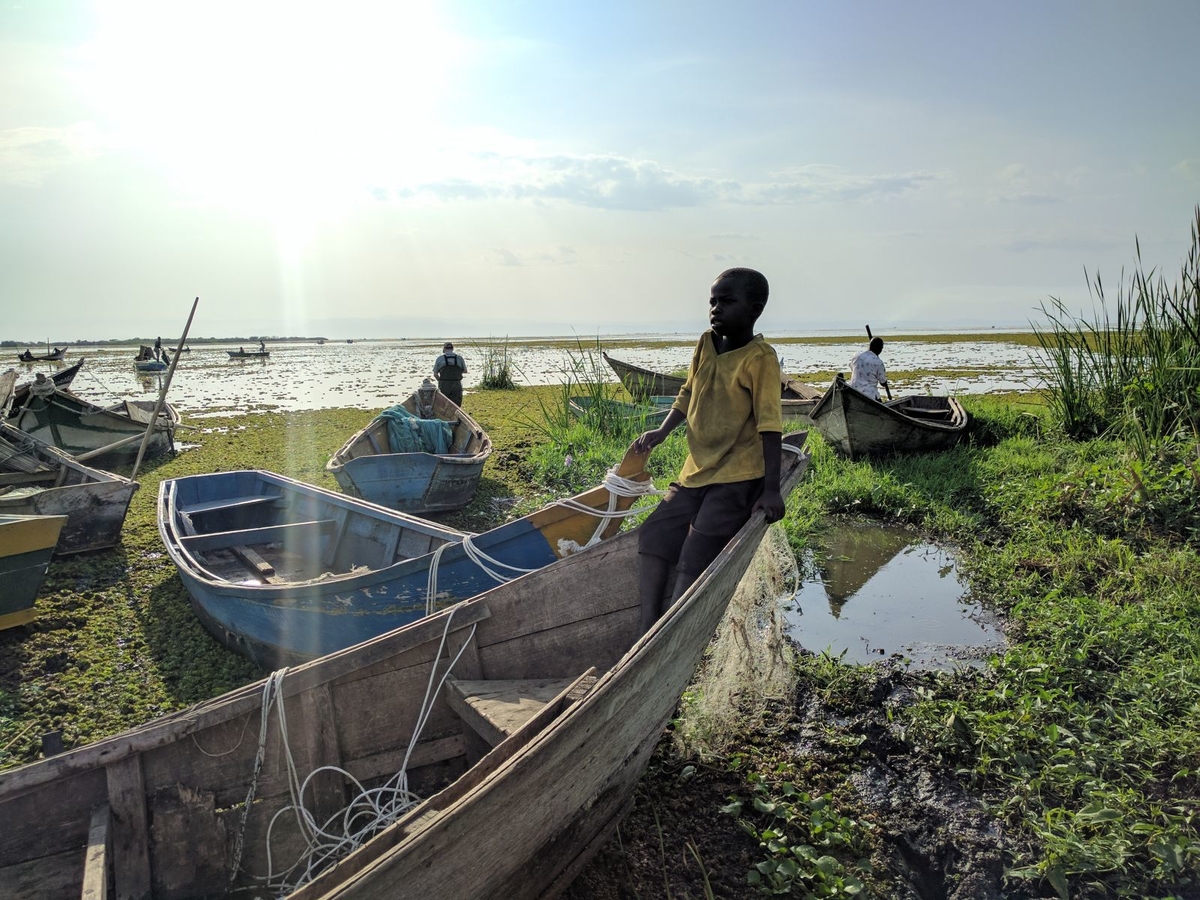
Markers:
point(1070, 766)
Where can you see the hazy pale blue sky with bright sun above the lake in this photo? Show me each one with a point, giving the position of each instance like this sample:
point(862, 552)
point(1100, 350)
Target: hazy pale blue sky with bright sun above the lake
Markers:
point(395, 169)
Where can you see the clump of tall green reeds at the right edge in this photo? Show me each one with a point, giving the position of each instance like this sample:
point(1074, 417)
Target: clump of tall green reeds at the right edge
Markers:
point(1135, 370)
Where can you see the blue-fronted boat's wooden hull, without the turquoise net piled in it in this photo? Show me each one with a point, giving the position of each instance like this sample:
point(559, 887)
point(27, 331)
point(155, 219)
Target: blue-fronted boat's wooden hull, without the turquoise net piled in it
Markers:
point(415, 482)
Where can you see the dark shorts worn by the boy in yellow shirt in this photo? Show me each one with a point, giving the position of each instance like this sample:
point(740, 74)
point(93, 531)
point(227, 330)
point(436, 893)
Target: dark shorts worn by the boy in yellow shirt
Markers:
point(716, 512)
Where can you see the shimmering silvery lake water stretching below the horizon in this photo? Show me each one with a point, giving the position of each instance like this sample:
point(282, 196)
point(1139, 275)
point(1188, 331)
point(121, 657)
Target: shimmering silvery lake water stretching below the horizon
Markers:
point(370, 375)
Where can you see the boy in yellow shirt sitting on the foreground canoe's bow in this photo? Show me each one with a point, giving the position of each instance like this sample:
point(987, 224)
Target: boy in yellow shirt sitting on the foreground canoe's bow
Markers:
point(731, 403)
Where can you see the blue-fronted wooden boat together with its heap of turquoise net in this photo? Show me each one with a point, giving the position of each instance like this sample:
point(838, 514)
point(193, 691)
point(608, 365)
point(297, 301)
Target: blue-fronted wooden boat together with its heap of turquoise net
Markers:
point(425, 455)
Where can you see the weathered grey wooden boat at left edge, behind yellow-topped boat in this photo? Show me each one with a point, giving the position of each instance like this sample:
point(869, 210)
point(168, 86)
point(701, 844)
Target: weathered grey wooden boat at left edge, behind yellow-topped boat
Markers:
point(45, 482)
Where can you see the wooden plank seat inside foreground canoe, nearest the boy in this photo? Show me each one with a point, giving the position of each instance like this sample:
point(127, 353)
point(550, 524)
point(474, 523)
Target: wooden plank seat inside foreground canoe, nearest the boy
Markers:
point(495, 710)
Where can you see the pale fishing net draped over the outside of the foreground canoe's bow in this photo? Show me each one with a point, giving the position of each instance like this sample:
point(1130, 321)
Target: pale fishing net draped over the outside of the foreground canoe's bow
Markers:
point(748, 668)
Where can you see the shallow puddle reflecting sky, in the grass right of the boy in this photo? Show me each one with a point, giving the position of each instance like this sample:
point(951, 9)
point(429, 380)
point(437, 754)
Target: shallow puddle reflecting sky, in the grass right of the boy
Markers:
point(877, 591)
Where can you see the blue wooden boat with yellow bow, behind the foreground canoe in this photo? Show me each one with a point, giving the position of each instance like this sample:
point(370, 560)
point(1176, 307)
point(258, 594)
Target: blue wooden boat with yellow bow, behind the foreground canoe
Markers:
point(283, 572)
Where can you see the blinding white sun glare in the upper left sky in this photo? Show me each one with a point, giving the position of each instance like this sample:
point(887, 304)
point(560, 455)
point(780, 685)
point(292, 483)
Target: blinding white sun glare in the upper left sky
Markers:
point(272, 107)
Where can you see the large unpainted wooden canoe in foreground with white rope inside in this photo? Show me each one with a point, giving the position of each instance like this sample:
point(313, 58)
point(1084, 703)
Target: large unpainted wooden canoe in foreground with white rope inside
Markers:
point(526, 761)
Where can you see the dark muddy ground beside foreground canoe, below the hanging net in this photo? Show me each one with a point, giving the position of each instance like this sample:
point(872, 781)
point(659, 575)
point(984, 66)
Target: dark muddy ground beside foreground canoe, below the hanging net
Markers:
point(931, 841)
